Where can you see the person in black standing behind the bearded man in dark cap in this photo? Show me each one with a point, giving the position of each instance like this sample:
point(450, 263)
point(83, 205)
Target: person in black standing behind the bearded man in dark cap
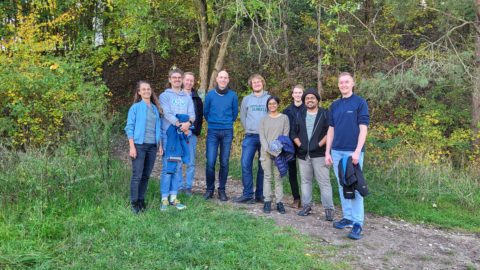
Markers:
point(293, 111)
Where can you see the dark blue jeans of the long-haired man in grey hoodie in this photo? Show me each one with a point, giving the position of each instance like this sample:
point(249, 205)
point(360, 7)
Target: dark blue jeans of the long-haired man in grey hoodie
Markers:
point(250, 146)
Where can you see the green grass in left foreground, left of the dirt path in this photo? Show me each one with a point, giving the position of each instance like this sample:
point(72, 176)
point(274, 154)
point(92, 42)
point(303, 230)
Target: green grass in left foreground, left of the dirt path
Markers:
point(54, 217)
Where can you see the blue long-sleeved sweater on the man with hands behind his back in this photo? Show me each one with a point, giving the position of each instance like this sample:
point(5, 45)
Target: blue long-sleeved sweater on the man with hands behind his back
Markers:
point(220, 111)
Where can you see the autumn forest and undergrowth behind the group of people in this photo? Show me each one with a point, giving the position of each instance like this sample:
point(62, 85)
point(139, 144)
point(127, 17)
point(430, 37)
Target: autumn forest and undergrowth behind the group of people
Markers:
point(68, 69)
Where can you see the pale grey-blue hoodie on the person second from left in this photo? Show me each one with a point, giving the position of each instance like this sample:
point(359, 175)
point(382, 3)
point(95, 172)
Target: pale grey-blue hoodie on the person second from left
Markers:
point(175, 103)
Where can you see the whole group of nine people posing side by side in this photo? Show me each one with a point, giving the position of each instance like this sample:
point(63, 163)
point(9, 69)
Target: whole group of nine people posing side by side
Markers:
point(305, 132)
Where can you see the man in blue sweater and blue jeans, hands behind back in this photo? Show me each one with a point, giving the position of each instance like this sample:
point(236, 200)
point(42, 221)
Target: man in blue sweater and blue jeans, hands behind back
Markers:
point(220, 112)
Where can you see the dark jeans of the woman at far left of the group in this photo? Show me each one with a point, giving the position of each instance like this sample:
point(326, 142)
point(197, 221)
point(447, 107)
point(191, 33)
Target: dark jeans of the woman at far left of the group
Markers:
point(142, 167)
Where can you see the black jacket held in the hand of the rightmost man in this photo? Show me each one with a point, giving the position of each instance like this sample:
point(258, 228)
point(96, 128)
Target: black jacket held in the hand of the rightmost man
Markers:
point(351, 179)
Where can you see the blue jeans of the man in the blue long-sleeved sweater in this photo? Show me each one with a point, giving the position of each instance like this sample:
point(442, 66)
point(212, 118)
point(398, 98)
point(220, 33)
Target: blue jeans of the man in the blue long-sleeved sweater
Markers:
point(218, 138)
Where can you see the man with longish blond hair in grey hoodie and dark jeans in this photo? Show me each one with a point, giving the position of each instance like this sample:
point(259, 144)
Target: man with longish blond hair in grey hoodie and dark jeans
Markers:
point(252, 110)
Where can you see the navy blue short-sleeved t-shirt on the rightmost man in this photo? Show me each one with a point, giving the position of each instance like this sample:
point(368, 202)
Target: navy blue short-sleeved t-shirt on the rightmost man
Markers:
point(346, 114)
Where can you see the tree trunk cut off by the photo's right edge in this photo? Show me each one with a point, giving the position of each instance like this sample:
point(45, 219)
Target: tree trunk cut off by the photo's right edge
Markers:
point(476, 80)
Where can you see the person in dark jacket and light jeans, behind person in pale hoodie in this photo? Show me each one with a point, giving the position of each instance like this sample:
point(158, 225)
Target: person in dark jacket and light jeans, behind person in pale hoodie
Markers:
point(188, 83)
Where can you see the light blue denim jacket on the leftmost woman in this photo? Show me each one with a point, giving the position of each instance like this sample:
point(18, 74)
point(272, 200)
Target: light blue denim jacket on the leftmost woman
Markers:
point(136, 123)
